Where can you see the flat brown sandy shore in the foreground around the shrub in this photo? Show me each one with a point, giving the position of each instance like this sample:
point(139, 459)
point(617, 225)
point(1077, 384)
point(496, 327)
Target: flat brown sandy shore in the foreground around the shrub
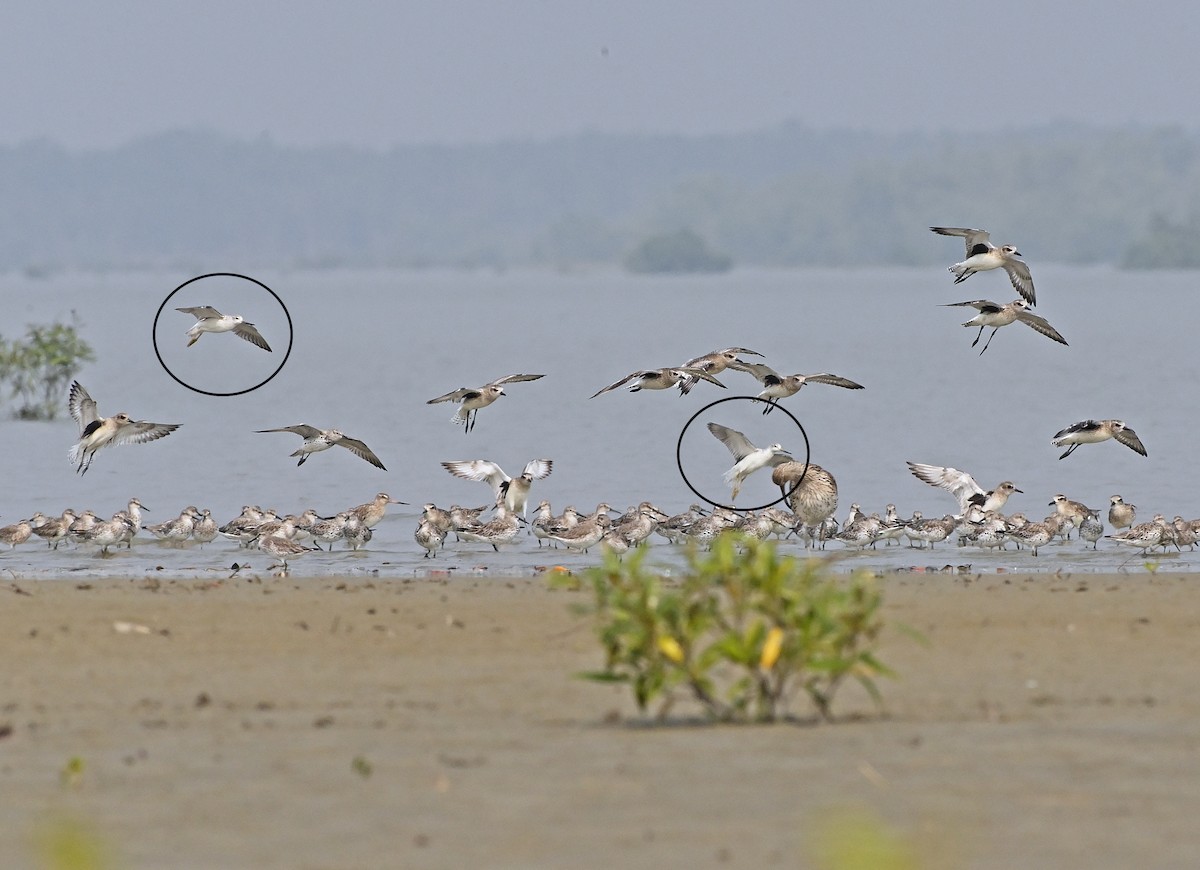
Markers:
point(1049, 722)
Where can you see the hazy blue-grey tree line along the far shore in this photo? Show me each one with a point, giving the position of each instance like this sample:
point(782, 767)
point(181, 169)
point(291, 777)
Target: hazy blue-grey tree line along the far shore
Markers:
point(789, 196)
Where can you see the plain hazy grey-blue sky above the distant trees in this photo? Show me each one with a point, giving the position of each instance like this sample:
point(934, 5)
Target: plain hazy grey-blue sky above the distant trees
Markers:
point(439, 71)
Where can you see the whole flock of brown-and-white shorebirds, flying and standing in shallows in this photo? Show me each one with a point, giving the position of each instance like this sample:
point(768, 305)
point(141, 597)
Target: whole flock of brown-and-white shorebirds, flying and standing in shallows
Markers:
point(809, 491)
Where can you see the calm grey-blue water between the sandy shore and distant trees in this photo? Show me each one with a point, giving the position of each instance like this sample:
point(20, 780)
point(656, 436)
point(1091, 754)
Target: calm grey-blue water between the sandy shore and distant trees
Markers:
point(368, 350)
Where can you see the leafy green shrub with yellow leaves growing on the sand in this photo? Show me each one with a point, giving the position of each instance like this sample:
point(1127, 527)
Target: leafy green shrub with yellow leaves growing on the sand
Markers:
point(742, 634)
